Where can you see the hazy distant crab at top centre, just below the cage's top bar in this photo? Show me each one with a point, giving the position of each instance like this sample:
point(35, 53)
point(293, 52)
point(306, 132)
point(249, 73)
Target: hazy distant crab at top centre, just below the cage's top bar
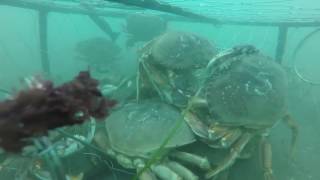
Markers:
point(143, 27)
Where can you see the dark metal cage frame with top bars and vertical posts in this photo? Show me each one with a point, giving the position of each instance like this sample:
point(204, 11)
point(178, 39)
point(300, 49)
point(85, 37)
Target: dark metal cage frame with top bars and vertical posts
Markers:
point(95, 12)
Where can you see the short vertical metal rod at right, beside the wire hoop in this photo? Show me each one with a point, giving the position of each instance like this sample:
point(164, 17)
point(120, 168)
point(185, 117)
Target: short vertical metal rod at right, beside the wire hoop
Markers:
point(281, 43)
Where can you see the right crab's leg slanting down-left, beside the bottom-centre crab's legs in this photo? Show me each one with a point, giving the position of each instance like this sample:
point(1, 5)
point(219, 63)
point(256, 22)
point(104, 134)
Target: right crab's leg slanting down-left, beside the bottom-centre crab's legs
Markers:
point(230, 159)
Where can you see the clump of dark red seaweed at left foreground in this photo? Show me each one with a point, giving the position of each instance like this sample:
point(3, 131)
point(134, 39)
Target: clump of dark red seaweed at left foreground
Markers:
point(34, 111)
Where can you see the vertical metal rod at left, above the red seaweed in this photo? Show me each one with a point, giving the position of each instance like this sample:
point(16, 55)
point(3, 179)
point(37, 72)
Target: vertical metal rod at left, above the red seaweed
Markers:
point(43, 35)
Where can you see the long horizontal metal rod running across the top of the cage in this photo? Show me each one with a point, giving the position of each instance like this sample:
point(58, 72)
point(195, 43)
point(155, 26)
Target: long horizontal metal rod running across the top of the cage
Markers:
point(77, 9)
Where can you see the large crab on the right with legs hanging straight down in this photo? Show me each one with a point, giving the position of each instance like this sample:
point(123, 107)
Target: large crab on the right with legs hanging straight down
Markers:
point(241, 99)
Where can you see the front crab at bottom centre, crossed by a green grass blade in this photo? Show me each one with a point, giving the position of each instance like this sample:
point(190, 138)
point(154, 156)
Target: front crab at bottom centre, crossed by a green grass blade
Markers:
point(136, 130)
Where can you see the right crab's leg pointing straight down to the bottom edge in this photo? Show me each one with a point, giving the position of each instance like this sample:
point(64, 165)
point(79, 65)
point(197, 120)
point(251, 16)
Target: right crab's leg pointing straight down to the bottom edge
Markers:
point(266, 160)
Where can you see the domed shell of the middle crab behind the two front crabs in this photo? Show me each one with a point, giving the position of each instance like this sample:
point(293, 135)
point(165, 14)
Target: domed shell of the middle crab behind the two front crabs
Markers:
point(181, 50)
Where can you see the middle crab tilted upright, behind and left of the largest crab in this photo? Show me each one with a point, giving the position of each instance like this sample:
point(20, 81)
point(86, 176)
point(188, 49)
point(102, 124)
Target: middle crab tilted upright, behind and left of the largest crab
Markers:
point(171, 65)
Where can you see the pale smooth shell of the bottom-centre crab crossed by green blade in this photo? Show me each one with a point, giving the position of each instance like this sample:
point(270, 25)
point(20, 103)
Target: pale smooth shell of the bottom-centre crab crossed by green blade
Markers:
point(137, 130)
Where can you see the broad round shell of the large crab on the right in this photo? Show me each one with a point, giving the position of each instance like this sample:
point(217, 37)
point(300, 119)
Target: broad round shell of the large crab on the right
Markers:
point(247, 90)
